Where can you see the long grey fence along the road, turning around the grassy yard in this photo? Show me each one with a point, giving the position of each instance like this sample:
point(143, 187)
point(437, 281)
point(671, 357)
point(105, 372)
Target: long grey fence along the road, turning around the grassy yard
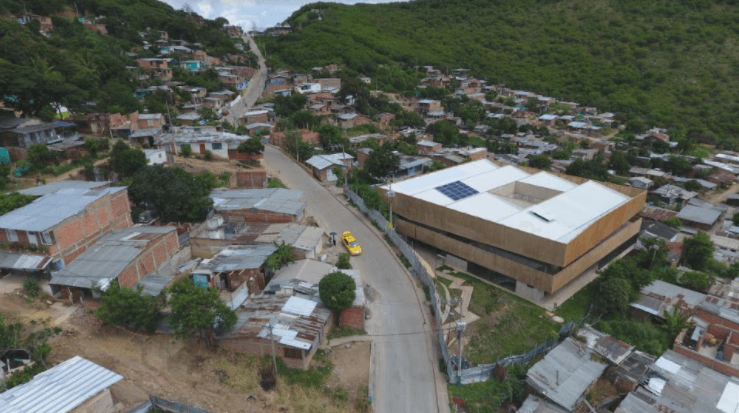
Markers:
point(467, 375)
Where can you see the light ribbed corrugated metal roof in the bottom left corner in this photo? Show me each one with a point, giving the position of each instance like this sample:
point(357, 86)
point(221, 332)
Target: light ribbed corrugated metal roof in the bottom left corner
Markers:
point(60, 389)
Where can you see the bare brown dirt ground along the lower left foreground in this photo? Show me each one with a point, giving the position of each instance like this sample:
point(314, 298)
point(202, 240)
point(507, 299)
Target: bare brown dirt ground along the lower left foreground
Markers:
point(188, 373)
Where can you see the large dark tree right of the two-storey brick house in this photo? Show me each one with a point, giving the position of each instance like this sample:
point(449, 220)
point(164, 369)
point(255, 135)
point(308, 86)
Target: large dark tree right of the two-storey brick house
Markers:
point(176, 194)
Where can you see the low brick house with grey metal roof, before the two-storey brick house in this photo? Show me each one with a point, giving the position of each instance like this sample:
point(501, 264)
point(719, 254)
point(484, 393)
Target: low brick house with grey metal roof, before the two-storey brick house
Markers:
point(127, 256)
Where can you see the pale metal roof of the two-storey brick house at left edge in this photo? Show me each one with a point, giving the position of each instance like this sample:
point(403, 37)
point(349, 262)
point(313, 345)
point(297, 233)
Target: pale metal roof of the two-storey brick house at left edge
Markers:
point(51, 209)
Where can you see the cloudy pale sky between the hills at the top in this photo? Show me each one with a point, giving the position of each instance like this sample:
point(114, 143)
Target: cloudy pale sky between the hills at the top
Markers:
point(265, 13)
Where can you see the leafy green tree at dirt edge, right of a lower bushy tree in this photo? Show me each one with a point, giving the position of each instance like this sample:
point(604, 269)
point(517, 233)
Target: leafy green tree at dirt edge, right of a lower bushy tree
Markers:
point(197, 310)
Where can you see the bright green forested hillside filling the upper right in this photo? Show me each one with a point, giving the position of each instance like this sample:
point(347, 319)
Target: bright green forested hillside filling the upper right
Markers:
point(667, 63)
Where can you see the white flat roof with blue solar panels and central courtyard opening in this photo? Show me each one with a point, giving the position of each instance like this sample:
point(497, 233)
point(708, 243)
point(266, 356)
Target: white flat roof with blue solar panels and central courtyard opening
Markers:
point(571, 210)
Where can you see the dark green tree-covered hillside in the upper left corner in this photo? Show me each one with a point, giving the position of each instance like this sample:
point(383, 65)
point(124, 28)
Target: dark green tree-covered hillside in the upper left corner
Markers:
point(74, 66)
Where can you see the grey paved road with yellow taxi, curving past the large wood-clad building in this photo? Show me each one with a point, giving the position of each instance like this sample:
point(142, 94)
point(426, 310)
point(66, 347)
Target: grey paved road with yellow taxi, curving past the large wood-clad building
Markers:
point(406, 376)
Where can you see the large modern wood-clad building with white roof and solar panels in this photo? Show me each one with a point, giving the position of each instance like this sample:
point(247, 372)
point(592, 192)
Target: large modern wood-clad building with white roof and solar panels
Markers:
point(541, 229)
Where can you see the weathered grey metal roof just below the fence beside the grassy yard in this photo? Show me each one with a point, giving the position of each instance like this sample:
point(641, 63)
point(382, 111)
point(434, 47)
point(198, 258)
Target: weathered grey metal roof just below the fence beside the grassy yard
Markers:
point(565, 373)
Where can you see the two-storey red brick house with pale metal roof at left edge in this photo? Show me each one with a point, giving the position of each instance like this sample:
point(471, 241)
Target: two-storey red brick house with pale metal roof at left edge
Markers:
point(66, 219)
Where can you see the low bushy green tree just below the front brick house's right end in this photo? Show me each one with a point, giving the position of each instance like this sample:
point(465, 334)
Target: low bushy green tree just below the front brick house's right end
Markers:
point(130, 308)
